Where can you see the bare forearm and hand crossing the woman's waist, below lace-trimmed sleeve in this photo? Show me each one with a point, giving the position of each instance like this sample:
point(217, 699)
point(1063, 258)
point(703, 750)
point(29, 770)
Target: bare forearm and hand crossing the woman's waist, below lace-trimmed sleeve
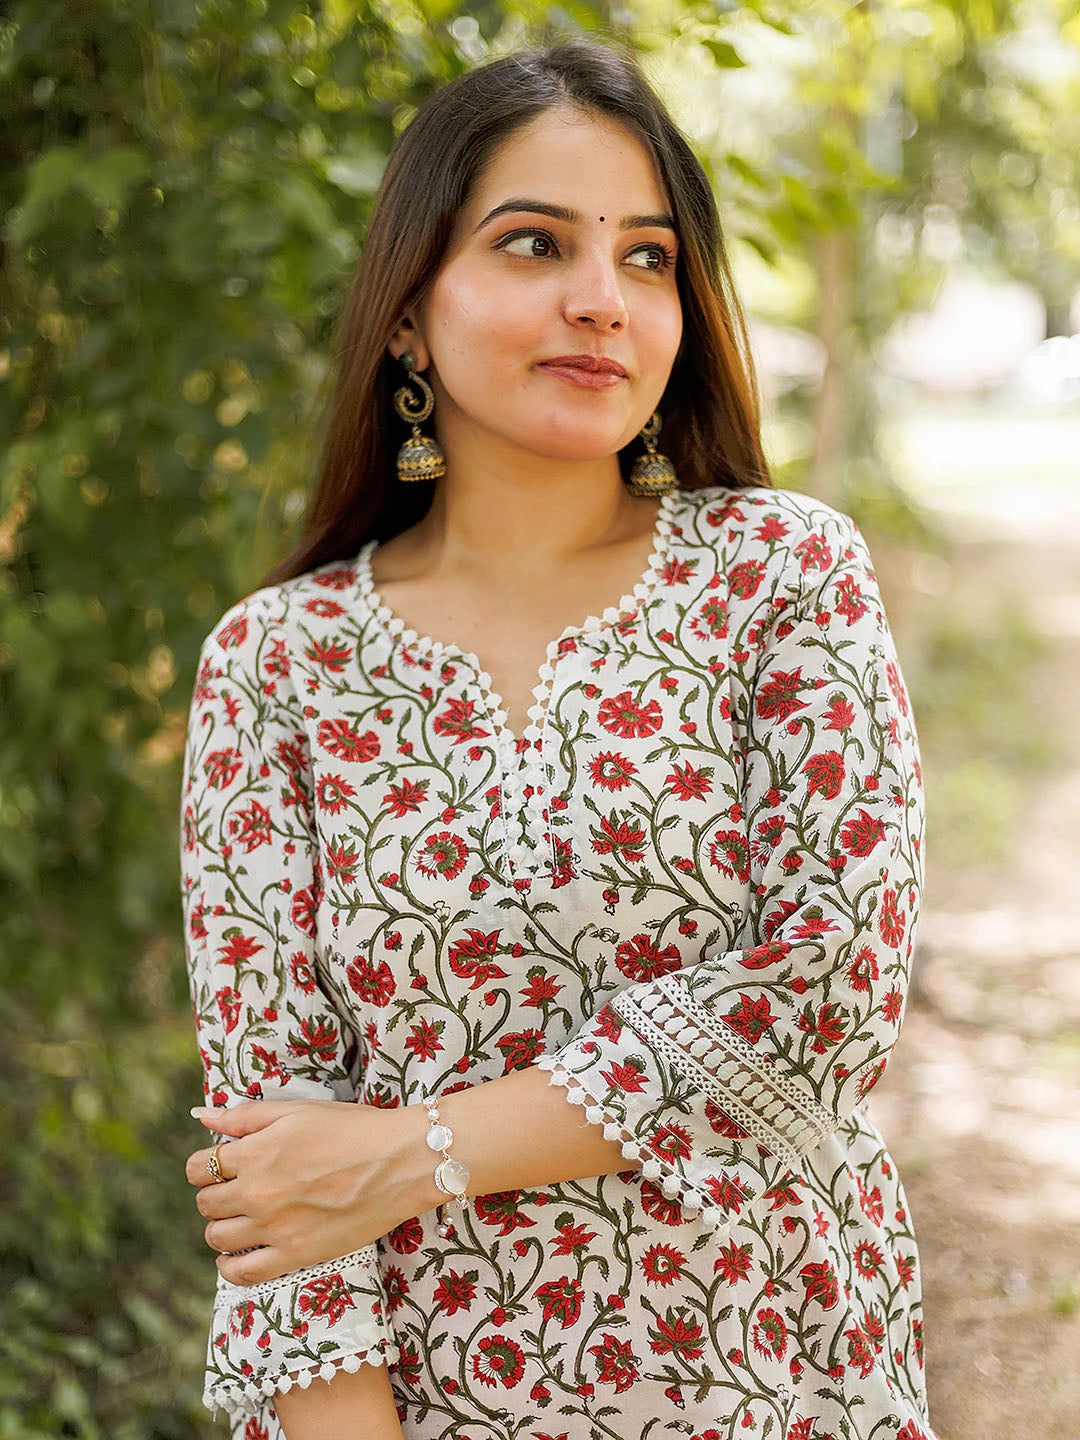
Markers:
point(309, 1180)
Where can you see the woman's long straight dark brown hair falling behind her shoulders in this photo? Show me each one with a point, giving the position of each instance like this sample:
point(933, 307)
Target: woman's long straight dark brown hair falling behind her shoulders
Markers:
point(711, 407)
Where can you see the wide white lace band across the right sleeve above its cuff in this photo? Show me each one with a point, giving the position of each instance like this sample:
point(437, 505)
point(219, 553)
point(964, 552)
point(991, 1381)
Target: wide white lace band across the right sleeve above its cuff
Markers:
point(778, 1112)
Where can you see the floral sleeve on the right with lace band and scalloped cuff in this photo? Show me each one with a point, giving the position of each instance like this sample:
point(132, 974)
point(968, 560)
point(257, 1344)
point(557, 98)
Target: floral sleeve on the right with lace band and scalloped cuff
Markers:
point(719, 1076)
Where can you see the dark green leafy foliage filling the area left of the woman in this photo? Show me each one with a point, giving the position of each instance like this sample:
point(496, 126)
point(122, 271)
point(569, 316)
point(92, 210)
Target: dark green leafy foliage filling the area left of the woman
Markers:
point(185, 198)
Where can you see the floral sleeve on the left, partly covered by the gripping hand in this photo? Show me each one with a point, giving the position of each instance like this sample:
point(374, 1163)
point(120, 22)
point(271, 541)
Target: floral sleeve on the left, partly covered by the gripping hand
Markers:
point(266, 1026)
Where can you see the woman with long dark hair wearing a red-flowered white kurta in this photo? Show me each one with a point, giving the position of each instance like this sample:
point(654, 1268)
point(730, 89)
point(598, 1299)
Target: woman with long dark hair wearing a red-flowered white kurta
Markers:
point(634, 905)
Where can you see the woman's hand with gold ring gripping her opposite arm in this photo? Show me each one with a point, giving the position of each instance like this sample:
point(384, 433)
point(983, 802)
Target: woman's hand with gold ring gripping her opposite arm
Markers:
point(309, 1182)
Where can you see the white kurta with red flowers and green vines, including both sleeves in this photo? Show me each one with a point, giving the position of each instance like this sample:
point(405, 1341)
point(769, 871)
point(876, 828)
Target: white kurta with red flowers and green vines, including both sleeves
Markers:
point(690, 891)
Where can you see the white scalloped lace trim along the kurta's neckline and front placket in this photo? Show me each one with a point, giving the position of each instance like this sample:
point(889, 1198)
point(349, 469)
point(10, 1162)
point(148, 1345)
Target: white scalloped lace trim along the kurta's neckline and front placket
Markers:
point(526, 845)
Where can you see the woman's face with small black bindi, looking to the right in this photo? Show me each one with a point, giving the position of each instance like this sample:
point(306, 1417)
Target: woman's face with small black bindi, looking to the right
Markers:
point(519, 289)
